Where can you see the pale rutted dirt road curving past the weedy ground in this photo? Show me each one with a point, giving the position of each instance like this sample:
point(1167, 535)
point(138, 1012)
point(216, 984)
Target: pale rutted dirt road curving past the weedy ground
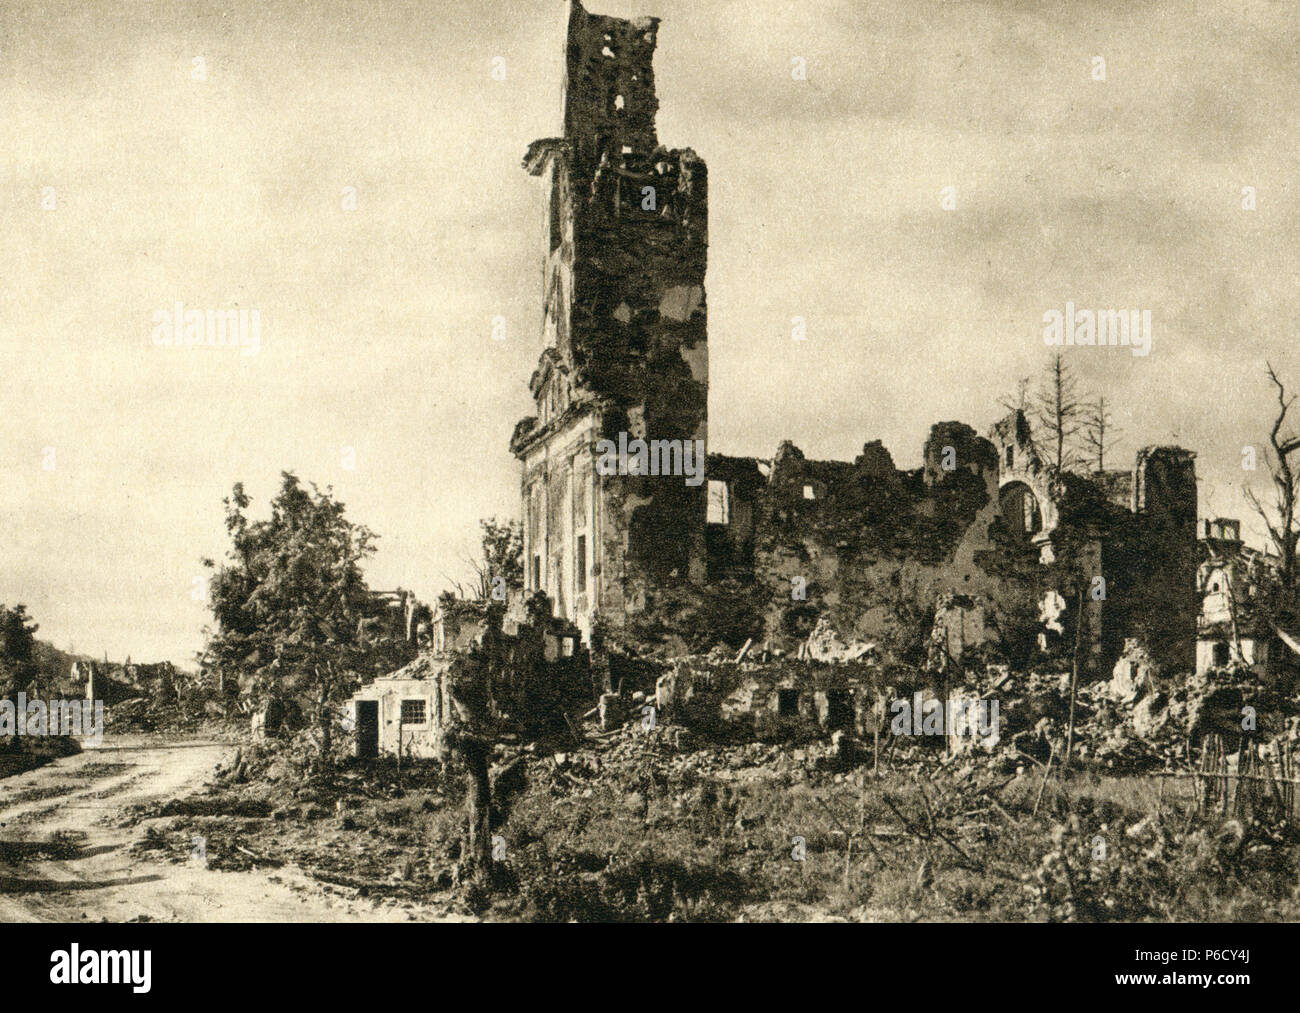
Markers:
point(62, 860)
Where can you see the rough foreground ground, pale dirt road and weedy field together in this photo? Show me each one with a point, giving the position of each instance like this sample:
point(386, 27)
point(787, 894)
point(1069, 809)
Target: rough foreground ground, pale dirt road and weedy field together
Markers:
point(629, 826)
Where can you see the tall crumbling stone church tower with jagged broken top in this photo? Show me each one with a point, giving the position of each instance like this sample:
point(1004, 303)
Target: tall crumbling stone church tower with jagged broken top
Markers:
point(625, 337)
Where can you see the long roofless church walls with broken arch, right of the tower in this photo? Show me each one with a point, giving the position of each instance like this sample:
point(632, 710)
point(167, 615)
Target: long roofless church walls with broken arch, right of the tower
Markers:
point(982, 540)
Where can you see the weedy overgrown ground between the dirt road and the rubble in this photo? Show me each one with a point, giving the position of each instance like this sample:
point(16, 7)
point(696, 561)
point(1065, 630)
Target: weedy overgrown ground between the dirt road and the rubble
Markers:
point(649, 826)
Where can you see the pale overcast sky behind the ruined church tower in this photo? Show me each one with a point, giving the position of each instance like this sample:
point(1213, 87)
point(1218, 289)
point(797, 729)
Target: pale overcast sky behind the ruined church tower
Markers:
point(133, 178)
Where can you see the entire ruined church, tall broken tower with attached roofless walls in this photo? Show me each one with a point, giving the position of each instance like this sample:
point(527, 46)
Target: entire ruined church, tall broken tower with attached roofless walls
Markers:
point(983, 540)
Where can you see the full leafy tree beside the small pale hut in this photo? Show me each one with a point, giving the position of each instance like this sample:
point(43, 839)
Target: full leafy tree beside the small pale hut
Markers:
point(291, 603)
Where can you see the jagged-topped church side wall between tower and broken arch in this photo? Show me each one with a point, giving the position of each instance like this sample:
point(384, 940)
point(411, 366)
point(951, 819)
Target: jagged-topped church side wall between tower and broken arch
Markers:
point(874, 549)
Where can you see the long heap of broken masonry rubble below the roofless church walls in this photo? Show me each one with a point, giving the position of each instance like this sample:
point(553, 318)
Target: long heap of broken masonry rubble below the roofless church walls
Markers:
point(1139, 721)
